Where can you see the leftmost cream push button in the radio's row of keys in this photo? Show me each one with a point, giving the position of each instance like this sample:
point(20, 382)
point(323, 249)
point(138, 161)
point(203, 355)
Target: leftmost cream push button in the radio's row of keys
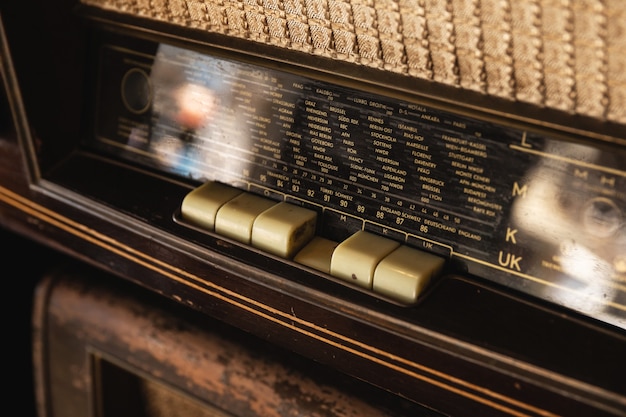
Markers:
point(200, 206)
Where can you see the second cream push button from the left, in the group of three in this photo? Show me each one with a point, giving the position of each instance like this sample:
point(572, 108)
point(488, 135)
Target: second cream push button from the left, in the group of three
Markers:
point(235, 218)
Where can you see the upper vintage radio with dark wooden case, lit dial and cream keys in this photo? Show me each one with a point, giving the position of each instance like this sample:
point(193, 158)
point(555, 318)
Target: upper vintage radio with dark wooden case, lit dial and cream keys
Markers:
point(429, 196)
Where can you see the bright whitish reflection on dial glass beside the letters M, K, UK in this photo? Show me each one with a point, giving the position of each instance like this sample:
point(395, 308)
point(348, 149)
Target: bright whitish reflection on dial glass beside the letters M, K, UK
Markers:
point(571, 210)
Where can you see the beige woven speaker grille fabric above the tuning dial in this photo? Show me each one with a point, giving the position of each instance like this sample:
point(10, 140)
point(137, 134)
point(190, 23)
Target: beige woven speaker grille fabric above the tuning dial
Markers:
point(568, 55)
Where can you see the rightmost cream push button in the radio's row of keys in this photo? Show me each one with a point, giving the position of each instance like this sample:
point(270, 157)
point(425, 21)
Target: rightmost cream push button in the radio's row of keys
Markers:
point(404, 273)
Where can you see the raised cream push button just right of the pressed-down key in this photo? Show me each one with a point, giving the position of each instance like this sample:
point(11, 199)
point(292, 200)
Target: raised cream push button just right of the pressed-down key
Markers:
point(355, 258)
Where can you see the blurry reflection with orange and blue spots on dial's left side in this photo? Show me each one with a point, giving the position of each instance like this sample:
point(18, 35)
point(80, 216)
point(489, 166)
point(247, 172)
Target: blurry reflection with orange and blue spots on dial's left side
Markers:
point(197, 114)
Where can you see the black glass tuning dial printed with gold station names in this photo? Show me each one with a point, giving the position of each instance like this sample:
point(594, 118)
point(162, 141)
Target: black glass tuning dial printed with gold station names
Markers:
point(543, 216)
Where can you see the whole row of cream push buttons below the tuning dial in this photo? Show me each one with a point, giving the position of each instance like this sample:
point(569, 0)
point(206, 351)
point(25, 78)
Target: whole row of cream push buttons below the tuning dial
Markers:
point(373, 262)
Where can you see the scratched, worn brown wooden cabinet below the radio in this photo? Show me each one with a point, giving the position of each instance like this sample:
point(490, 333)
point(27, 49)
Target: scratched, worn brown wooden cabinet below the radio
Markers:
point(110, 345)
